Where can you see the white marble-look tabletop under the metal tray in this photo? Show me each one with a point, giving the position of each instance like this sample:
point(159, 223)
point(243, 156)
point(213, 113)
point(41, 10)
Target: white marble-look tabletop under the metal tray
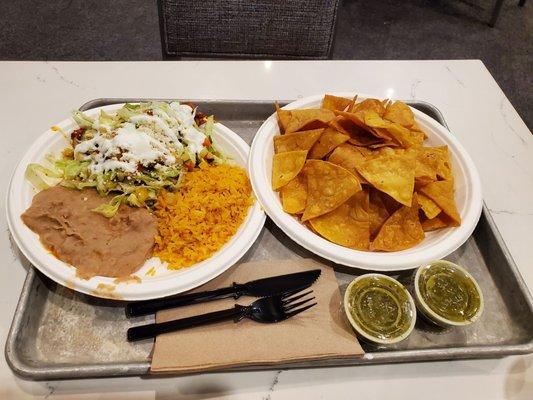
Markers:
point(35, 95)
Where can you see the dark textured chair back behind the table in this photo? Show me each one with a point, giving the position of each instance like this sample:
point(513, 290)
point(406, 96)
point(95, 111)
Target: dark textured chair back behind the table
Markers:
point(248, 28)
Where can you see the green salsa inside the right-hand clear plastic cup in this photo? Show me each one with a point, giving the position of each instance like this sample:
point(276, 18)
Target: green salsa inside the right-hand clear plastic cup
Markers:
point(449, 292)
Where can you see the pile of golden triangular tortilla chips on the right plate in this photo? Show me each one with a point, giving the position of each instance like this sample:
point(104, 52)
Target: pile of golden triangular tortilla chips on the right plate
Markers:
point(358, 174)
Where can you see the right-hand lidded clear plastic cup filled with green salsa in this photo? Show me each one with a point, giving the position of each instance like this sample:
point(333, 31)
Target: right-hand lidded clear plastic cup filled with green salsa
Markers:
point(447, 294)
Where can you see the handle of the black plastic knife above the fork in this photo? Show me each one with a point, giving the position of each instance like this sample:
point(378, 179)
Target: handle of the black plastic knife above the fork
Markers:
point(146, 307)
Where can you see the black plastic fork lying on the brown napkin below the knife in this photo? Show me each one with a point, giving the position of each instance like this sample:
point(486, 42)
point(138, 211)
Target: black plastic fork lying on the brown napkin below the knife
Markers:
point(266, 310)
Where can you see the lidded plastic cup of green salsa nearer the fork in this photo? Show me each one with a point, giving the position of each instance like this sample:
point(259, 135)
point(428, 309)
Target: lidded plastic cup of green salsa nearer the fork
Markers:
point(380, 307)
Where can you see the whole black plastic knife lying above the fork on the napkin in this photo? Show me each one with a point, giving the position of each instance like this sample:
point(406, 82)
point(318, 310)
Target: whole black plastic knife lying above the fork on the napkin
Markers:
point(258, 288)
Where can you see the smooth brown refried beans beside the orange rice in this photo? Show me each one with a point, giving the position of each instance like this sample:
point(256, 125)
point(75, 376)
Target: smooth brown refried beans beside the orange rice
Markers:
point(95, 245)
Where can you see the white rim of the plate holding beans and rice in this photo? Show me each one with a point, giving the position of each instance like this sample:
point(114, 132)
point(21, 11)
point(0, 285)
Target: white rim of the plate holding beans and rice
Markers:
point(232, 251)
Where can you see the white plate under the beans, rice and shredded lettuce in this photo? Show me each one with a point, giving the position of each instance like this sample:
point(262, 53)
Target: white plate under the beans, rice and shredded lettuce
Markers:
point(164, 282)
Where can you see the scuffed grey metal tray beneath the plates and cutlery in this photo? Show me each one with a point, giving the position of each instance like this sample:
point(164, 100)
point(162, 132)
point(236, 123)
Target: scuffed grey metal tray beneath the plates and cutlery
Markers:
point(59, 334)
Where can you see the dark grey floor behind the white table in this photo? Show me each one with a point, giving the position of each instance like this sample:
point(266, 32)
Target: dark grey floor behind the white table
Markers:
point(366, 29)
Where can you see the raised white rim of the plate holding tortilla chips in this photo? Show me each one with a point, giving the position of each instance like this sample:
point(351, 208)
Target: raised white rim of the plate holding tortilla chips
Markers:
point(373, 261)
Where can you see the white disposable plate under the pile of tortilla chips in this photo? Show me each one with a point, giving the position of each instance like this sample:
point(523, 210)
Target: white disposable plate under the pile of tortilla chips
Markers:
point(436, 245)
